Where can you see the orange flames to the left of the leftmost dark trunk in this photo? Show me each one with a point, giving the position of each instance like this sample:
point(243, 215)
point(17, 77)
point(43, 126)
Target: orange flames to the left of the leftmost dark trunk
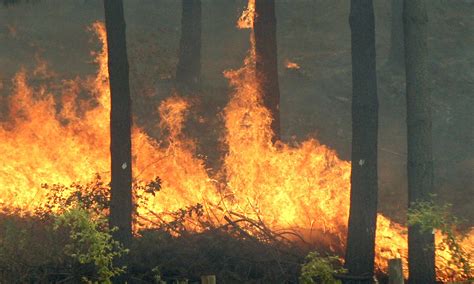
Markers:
point(44, 145)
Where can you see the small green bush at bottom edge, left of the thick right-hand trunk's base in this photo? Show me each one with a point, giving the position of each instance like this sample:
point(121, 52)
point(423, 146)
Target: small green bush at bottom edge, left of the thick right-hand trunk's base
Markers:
point(320, 269)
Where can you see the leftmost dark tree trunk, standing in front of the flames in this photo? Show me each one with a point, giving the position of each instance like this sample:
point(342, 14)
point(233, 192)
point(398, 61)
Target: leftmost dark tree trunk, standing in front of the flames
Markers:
point(120, 123)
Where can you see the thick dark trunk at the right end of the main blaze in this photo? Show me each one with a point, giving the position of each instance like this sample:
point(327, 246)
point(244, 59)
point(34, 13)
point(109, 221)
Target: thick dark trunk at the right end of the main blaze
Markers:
point(363, 211)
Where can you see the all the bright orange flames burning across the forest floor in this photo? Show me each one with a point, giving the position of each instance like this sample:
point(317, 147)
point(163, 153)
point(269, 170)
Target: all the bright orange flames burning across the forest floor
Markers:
point(304, 187)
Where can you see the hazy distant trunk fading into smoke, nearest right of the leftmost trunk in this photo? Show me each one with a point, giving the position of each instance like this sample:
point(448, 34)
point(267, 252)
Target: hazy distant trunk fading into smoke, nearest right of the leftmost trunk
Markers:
point(188, 72)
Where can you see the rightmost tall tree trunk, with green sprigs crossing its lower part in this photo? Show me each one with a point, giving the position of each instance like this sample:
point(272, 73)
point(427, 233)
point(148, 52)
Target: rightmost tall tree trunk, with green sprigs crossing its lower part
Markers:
point(421, 254)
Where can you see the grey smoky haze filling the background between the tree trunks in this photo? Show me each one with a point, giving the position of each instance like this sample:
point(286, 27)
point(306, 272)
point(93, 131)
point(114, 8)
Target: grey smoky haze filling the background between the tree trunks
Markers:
point(315, 99)
